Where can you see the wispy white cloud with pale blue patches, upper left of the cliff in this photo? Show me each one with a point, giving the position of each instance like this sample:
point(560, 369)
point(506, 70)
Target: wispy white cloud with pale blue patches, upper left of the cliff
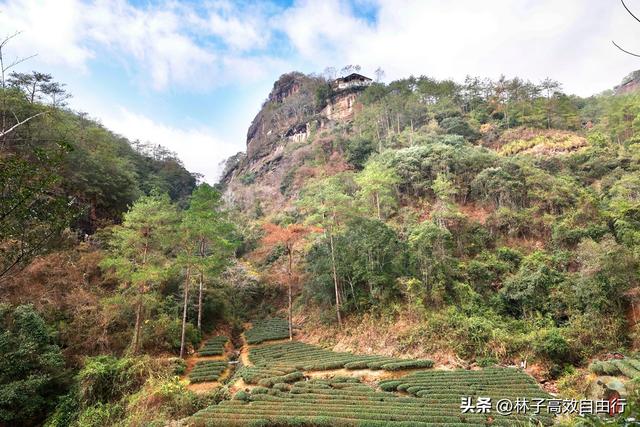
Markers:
point(164, 45)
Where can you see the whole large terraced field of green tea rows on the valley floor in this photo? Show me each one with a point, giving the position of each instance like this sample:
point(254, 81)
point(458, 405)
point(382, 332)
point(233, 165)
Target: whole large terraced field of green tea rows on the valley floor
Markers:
point(277, 390)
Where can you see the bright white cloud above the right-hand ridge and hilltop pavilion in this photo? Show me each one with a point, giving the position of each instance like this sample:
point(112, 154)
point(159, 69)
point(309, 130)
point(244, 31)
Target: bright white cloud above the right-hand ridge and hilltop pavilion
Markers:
point(567, 40)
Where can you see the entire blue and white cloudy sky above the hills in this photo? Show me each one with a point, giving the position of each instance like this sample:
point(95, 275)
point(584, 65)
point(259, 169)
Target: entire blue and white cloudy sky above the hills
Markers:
point(191, 75)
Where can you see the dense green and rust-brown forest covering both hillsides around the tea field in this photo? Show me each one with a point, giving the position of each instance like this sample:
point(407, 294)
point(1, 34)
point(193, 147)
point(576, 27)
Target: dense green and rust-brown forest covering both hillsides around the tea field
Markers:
point(477, 223)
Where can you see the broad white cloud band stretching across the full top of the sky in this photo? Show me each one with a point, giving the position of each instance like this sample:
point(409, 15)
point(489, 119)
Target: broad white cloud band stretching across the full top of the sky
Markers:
point(201, 46)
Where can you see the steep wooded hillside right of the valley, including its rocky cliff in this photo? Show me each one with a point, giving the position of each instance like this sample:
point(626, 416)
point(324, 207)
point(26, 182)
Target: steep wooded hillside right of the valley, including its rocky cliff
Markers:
point(460, 221)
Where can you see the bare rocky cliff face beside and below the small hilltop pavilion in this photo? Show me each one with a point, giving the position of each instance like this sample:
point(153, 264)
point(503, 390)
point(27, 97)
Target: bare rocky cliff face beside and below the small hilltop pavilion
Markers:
point(281, 137)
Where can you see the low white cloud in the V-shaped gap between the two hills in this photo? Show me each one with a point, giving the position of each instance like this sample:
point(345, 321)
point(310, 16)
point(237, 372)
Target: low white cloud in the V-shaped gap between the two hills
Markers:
point(199, 148)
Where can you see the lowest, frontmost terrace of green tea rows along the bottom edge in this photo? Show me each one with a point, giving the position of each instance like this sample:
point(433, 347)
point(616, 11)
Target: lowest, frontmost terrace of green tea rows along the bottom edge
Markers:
point(348, 402)
